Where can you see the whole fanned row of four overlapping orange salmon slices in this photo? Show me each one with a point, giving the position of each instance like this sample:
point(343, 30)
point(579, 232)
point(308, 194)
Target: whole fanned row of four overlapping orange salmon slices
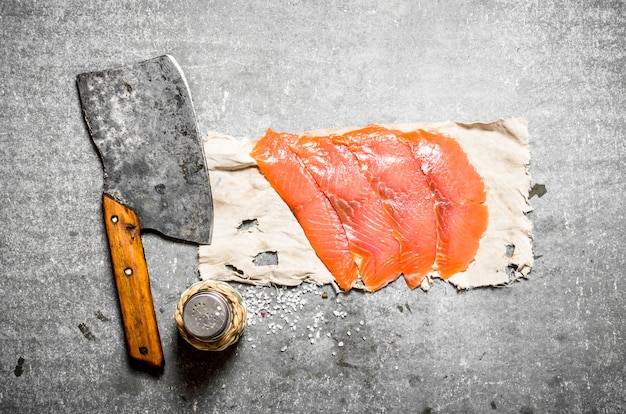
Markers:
point(376, 202)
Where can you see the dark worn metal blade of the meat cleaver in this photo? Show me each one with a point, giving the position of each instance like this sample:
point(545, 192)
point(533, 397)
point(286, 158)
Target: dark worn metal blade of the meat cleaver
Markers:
point(142, 120)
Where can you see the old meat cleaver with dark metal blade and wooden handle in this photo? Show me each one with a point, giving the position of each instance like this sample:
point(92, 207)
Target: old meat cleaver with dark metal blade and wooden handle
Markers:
point(142, 121)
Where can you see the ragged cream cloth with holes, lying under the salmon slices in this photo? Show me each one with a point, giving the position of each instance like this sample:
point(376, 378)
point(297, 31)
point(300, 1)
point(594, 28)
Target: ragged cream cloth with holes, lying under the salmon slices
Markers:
point(251, 218)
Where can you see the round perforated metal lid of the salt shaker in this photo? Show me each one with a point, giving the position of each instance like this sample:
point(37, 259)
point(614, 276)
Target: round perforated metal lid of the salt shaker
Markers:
point(207, 315)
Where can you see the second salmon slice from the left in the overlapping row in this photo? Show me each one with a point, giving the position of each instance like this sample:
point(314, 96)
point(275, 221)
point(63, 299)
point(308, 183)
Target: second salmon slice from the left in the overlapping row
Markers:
point(370, 233)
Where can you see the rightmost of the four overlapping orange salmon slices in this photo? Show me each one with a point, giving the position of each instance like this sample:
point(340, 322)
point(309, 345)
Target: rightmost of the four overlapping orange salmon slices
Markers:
point(460, 193)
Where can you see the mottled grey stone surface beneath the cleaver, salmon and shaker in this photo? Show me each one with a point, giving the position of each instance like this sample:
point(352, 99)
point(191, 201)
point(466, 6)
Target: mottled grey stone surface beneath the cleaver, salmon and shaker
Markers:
point(555, 343)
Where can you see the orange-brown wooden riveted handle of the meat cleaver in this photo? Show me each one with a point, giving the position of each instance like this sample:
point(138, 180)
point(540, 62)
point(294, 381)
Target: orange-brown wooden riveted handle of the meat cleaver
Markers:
point(133, 284)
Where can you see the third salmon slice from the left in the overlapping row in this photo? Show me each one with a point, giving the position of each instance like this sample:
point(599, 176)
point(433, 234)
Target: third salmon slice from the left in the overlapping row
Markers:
point(397, 178)
